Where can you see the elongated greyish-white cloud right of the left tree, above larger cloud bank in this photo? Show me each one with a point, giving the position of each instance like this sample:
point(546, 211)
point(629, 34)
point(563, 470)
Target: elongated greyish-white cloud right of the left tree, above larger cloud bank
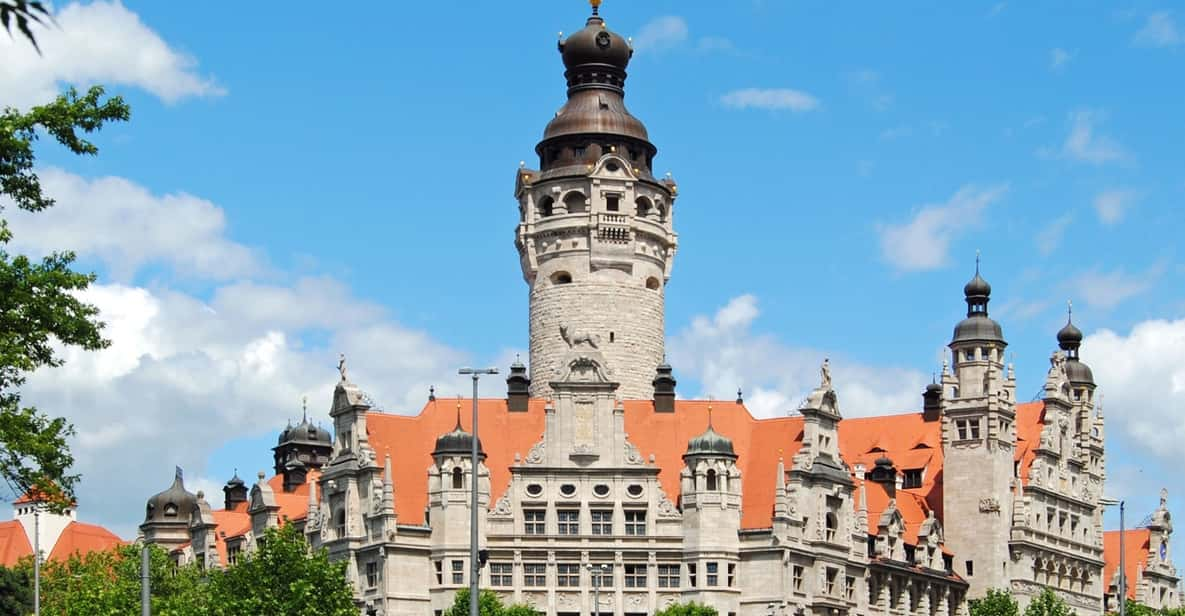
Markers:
point(127, 227)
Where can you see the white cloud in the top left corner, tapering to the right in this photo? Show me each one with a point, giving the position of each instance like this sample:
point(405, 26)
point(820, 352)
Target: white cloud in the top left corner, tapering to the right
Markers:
point(98, 43)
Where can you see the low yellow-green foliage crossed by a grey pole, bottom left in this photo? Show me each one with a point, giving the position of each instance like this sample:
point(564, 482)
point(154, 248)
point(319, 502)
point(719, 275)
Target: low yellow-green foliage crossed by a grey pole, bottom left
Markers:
point(108, 582)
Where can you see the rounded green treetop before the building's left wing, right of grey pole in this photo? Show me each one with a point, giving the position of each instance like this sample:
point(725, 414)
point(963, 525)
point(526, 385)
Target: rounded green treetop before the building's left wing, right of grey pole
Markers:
point(283, 577)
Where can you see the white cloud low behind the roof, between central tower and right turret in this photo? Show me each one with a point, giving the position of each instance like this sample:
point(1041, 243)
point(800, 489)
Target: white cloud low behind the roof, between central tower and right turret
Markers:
point(723, 354)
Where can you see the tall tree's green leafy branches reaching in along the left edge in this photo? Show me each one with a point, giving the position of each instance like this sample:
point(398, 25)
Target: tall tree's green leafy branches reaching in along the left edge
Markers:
point(40, 305)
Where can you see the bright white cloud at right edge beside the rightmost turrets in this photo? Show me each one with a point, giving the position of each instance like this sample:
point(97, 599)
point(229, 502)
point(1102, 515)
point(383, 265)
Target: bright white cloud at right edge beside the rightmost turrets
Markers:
point(1143, 376)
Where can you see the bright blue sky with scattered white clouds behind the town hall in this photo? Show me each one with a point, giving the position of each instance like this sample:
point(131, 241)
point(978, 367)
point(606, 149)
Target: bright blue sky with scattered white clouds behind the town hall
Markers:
point(303, 183)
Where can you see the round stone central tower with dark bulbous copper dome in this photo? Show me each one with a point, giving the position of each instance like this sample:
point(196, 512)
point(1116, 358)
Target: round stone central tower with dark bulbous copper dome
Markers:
point(595, 234)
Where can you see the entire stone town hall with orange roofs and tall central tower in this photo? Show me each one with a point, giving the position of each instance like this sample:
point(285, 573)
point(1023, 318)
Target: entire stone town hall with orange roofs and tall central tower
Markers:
point(591, 463)
